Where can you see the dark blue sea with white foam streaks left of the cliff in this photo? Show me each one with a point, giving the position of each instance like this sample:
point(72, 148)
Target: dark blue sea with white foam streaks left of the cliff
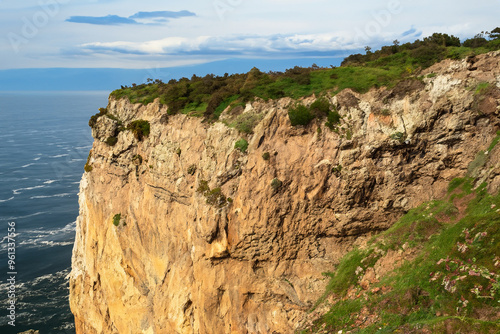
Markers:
point(44, 144)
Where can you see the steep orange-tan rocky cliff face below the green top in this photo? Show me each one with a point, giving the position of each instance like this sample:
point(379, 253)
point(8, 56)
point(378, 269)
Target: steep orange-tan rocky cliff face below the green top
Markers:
point(207, 242)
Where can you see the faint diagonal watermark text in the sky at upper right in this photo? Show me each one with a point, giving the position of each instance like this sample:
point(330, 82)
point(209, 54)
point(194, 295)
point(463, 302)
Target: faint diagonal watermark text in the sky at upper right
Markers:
point(380, 19)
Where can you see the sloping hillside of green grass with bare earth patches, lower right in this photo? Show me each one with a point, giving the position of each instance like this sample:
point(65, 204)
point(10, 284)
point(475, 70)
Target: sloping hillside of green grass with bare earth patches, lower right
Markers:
point(438, 266)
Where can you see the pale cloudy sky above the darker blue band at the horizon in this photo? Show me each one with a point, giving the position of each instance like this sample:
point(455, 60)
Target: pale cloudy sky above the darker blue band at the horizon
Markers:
point(154, 34)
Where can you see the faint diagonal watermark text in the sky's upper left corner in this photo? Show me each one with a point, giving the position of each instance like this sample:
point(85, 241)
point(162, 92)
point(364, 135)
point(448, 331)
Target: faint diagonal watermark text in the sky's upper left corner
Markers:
point(32, 25)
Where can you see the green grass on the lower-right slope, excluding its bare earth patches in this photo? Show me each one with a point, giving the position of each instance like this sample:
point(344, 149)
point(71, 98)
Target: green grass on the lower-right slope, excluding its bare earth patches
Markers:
point(456, 273)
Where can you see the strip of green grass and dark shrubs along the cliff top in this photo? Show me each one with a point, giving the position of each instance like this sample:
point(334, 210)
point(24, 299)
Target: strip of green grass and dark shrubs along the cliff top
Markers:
point(208, 96)
